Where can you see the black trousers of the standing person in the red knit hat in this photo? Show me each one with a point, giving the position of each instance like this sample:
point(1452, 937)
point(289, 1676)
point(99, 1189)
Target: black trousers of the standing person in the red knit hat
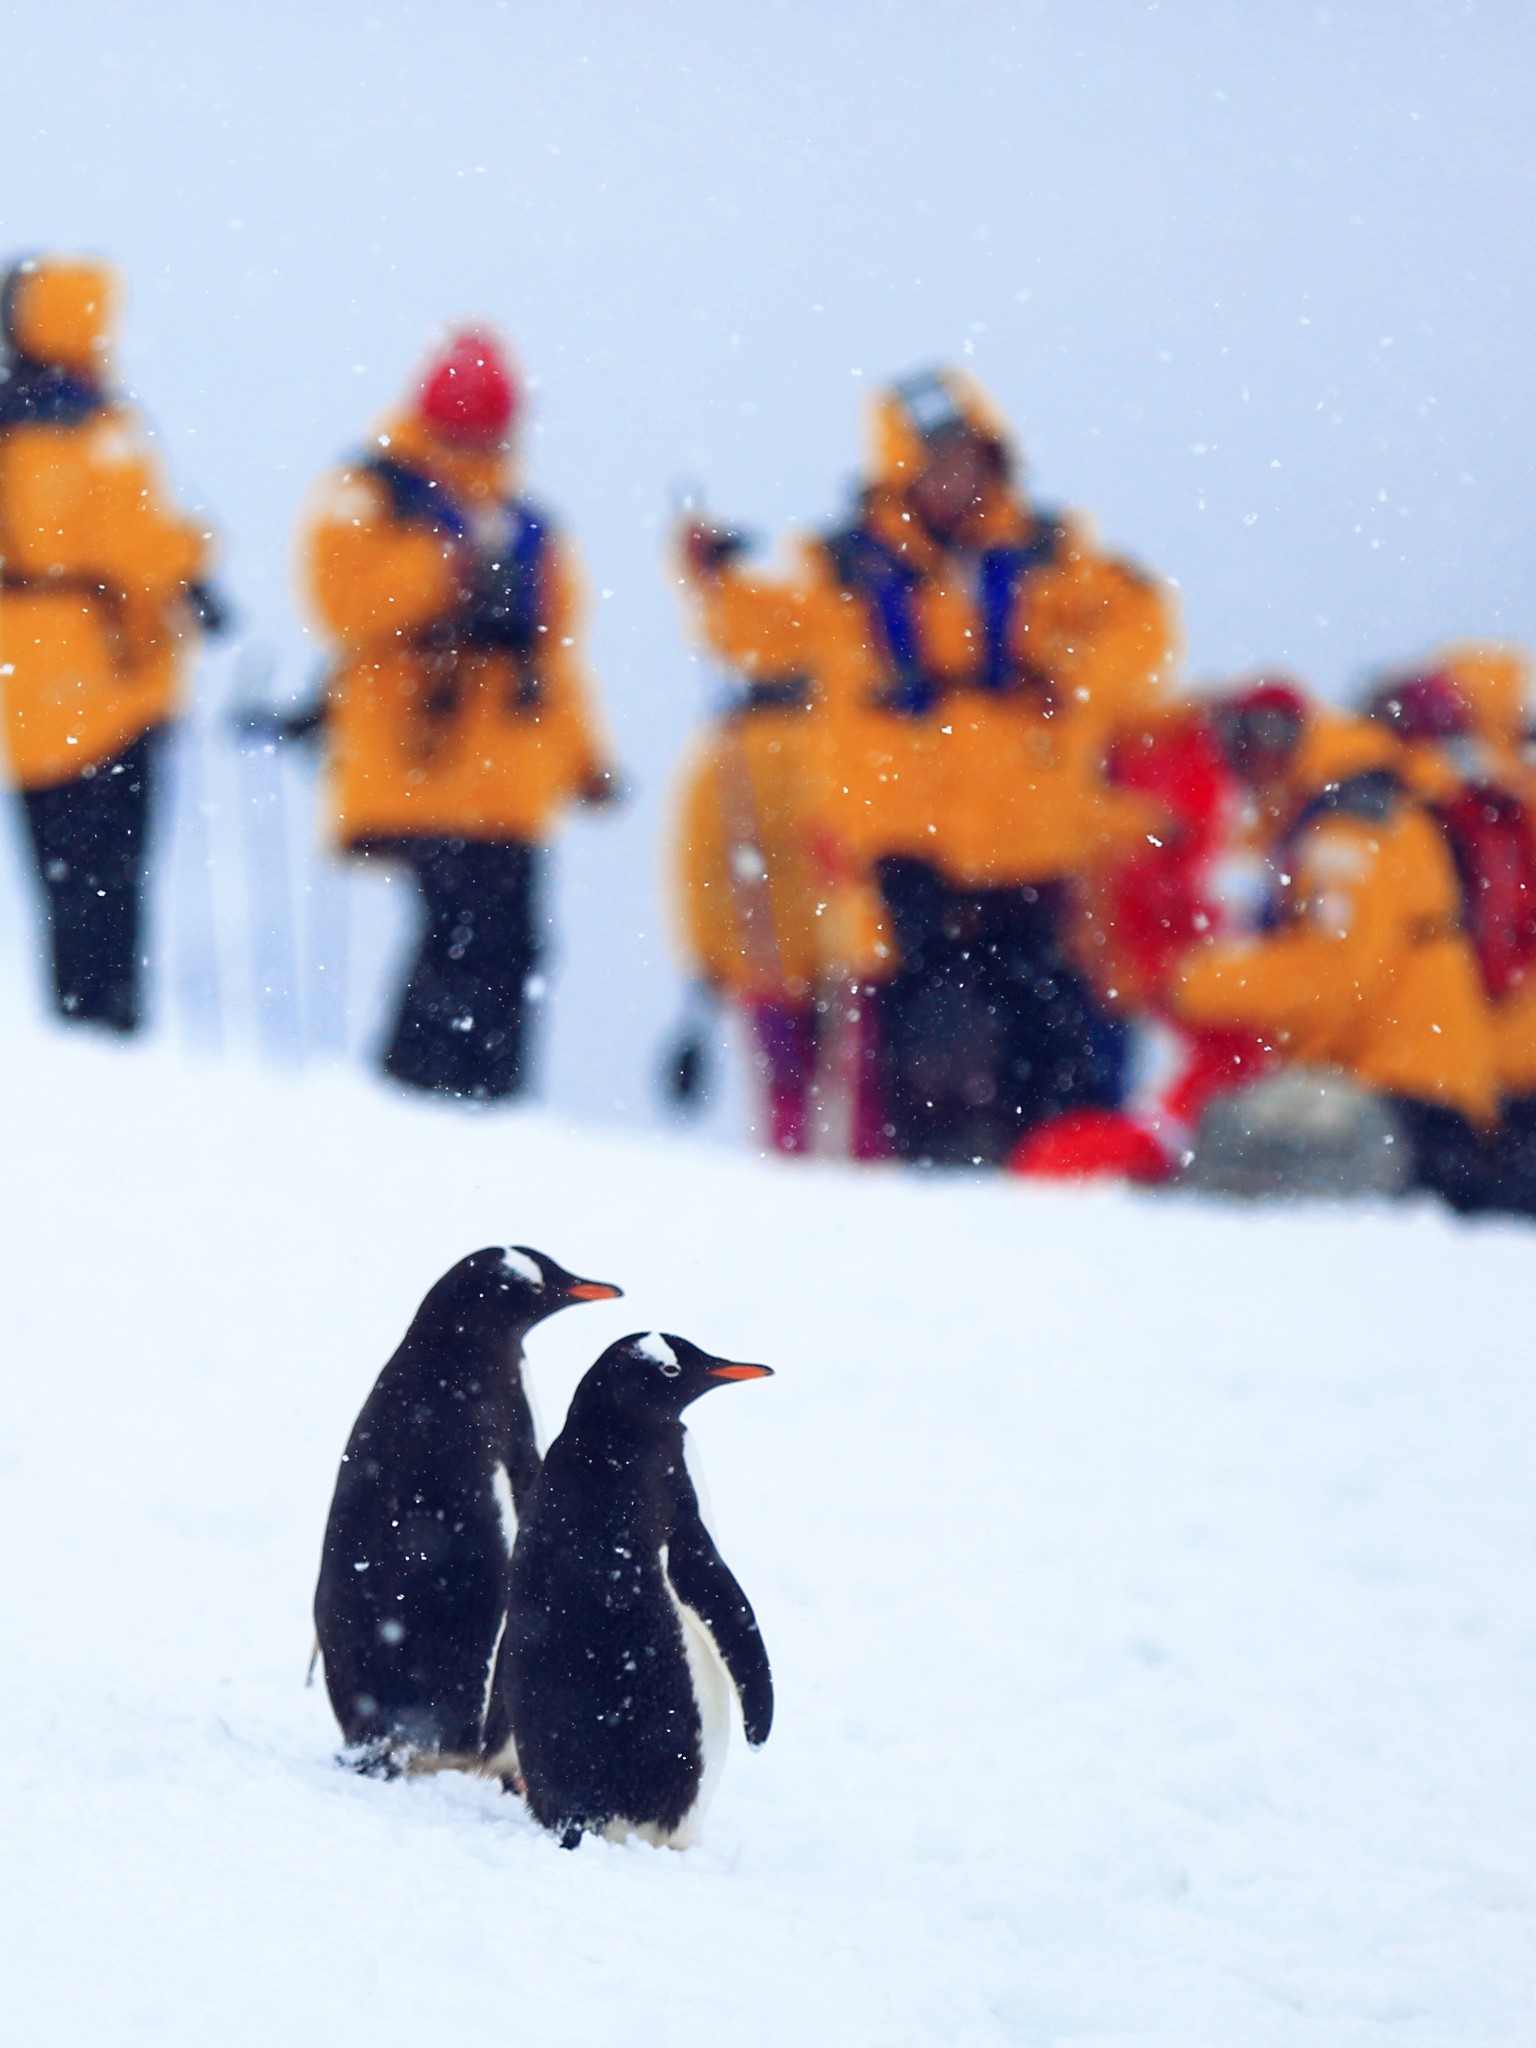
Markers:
point(464, 1019)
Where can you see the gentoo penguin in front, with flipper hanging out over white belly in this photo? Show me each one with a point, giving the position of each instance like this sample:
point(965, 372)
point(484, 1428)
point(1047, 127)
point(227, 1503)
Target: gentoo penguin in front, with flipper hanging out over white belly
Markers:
point(626, 1629)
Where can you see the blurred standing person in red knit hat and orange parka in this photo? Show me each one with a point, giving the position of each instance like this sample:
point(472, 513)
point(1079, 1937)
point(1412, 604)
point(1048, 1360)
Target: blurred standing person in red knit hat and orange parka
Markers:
point(458, 716)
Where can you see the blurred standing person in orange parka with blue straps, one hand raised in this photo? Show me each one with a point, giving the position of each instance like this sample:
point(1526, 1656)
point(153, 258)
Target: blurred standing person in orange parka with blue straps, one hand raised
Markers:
point(974, 660)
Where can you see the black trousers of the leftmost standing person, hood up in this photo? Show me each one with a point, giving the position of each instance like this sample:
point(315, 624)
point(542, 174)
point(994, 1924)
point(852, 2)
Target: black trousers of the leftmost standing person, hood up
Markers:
point(89, 843)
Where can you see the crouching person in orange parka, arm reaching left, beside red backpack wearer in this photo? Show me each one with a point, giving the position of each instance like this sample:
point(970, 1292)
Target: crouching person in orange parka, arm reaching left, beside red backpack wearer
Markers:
point(1367, 966)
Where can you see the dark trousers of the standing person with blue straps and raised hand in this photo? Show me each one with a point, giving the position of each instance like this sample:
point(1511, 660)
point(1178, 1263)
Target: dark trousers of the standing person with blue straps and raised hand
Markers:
point(986, 1029)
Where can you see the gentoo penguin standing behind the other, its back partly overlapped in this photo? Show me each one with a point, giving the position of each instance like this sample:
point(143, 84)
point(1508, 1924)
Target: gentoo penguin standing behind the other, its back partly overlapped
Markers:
point(439, 1465)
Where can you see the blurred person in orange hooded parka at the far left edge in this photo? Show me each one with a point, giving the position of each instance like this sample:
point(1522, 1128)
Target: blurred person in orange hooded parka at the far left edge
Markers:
point(101, 603)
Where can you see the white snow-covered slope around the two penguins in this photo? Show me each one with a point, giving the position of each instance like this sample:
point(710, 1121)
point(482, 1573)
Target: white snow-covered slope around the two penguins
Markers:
point(1150, 1592)
